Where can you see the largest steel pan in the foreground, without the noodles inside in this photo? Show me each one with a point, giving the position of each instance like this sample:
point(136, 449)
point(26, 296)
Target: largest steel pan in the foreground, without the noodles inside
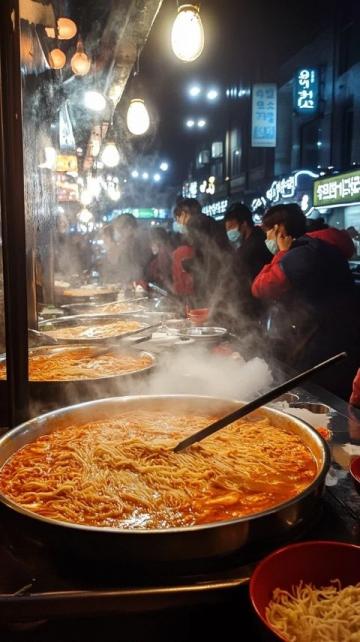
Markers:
point(184, 545)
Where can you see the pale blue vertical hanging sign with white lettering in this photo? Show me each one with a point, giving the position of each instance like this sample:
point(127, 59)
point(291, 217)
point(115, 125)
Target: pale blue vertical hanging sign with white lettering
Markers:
point(264, 108)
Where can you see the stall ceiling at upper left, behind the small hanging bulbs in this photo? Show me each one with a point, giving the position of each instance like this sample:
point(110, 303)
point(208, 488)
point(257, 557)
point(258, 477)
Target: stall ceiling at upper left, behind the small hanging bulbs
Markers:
point(113, 32)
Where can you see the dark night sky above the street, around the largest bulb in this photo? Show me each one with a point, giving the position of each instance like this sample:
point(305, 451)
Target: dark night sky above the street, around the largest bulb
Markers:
point(246, 40)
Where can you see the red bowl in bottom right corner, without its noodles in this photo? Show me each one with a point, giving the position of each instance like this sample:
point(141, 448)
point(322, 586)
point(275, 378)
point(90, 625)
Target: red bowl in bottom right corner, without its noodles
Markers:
point(315, 562)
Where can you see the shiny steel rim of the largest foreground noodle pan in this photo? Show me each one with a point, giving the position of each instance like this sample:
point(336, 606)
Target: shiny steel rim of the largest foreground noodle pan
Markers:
point(320, 477)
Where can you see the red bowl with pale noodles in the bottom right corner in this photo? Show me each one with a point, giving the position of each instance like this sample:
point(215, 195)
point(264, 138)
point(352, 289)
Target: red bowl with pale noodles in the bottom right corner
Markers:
point(309, 592)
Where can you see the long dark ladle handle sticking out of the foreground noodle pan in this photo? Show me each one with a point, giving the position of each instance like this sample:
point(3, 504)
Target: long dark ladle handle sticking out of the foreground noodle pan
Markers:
point(257, 403)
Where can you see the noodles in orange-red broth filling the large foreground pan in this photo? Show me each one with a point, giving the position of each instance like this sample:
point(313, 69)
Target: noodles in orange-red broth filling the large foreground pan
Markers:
point(123, 472)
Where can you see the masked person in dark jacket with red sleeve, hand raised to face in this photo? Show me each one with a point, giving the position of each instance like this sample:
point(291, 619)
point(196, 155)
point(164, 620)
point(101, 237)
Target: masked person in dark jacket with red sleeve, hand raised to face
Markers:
point(315, 306)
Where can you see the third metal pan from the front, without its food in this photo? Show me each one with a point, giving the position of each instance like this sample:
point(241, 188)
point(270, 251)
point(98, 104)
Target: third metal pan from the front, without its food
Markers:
point(66, 322)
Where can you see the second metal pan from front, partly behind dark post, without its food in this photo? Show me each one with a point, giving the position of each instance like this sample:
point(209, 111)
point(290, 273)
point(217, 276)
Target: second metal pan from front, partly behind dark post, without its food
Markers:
point(63, 392)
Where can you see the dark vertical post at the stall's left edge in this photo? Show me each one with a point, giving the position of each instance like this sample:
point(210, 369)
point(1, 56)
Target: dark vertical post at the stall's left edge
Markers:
point(12, 214)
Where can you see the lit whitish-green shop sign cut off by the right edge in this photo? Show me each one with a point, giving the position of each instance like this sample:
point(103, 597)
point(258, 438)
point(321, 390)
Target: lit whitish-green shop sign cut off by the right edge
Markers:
point(342, 189)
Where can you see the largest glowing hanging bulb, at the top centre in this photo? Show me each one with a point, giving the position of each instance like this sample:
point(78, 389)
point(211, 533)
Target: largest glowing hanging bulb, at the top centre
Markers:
point(187, 35)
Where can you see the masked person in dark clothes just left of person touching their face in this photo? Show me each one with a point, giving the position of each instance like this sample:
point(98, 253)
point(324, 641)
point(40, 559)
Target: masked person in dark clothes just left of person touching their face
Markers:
point(249, 257)
